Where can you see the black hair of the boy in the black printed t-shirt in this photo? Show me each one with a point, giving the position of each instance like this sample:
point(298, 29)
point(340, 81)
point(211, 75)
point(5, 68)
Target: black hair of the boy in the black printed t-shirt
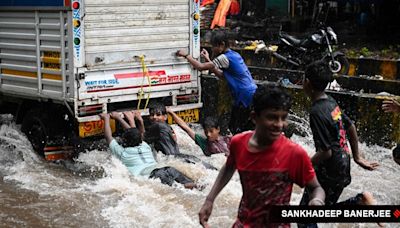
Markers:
point(319, 75)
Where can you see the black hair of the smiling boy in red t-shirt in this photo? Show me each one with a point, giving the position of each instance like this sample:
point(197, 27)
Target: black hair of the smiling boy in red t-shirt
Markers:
point(271, 97)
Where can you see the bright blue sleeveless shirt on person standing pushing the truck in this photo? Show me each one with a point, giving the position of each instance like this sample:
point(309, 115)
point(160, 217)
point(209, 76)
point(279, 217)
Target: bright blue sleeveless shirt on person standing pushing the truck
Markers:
point(238, 76)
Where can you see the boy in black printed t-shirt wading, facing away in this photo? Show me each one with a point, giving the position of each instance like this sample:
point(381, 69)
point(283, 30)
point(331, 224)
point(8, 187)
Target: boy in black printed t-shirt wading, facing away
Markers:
point(329, 126)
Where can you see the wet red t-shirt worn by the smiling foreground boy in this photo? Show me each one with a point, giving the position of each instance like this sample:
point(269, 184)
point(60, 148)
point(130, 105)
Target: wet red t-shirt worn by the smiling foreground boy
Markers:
point(267, 177)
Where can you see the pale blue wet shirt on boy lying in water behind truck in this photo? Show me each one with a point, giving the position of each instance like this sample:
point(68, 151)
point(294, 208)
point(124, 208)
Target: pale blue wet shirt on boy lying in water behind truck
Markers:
point(139, 159)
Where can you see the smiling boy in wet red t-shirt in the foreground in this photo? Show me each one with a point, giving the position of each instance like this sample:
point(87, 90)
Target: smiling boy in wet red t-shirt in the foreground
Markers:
point(268, 164)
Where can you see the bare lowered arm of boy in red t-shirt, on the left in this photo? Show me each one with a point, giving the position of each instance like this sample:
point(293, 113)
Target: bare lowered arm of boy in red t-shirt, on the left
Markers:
point(225, 174)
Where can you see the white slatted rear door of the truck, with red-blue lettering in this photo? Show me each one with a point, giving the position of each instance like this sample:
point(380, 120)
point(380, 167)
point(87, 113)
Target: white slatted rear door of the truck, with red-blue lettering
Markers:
point(129, 45)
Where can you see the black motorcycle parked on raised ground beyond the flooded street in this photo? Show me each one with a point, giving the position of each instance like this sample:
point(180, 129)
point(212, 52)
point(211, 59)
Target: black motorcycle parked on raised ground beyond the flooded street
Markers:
point(317, 46)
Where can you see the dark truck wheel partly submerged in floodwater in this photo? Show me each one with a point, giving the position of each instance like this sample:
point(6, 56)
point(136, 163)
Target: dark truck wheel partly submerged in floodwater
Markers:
point(34, 126)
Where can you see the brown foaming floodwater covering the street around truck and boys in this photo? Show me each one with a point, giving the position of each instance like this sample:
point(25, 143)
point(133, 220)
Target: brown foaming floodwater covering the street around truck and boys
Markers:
point(35, 193)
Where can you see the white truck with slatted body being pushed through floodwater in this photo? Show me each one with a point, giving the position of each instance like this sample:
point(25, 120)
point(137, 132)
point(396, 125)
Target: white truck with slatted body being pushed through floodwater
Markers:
point(63, 62)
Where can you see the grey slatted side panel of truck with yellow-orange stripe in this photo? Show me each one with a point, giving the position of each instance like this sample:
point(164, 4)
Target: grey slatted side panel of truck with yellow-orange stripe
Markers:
point(34, 54)
